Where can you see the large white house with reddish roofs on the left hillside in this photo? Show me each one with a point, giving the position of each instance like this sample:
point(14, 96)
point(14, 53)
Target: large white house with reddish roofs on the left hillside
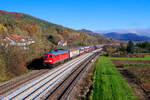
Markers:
point(16, 40)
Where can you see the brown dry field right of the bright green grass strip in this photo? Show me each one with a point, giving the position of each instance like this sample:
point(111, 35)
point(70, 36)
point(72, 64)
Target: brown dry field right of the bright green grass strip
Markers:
point(137, 73)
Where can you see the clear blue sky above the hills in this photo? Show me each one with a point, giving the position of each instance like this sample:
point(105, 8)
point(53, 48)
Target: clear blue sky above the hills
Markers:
point(88, 14)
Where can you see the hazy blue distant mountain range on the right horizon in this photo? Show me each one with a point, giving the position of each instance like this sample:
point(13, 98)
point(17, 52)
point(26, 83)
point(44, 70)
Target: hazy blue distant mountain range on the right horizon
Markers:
point(126, 37)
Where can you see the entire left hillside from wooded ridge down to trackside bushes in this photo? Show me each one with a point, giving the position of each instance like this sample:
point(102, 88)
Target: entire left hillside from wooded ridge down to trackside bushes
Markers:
point(44, 35)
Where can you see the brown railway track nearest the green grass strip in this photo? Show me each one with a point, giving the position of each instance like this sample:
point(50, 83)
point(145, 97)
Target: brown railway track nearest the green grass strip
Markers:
point(62, 90)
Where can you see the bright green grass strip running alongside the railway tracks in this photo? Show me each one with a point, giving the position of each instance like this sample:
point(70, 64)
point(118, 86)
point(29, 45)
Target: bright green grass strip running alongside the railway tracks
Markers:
point(108, 83)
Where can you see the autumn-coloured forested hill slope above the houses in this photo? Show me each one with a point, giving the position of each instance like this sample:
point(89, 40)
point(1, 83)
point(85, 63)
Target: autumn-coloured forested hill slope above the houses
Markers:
point(23, 24)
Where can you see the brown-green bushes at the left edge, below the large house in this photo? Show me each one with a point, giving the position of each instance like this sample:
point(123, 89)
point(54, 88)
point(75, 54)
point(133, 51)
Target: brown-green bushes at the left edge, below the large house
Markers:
point(12, 61)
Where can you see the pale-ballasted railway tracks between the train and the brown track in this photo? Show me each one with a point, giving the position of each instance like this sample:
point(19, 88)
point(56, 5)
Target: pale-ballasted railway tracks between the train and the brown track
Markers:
point(37, 88)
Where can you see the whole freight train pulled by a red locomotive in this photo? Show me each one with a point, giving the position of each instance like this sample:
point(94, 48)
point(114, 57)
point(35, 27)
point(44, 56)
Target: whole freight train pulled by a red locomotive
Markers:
point(54, 57)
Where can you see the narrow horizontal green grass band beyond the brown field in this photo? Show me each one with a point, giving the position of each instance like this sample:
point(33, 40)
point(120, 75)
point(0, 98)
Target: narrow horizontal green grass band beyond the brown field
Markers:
point(147, 57)
